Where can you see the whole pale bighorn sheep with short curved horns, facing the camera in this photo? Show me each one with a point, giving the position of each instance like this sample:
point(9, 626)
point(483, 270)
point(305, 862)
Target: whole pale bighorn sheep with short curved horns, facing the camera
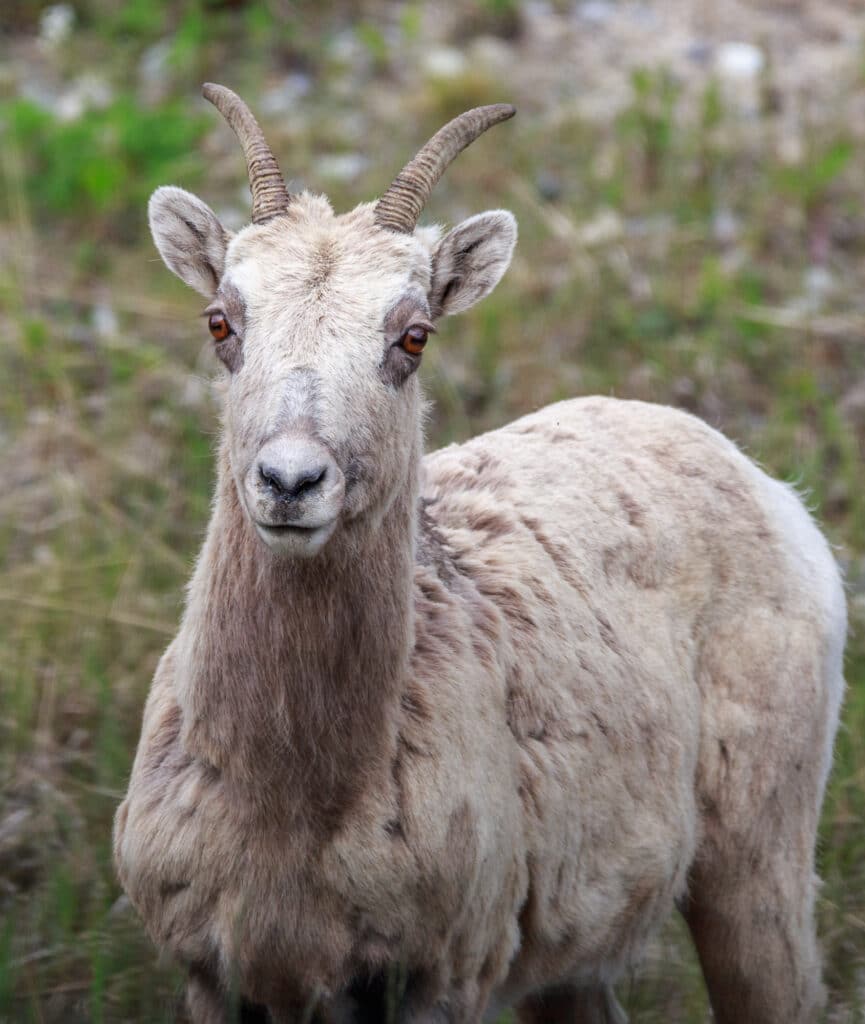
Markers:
point(452, 734)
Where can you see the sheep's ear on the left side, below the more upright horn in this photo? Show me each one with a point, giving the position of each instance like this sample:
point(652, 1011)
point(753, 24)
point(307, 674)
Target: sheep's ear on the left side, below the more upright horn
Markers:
point(190, 238)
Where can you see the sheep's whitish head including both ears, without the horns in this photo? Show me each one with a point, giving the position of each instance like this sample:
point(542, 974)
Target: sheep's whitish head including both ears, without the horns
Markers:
point(321, 322)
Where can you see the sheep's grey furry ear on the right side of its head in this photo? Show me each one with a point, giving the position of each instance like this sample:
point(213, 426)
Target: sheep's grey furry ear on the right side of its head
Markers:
point(470, 261)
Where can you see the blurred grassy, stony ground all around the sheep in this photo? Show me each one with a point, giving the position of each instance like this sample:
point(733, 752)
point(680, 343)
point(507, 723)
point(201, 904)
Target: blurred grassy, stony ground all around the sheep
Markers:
point(689, 180)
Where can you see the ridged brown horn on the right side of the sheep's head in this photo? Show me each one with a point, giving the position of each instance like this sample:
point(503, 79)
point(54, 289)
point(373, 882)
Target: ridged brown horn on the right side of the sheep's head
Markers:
point(401, 206)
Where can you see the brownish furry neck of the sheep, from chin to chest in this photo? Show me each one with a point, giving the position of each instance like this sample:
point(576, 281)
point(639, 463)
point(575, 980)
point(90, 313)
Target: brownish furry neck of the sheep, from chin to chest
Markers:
point(290, 673)
